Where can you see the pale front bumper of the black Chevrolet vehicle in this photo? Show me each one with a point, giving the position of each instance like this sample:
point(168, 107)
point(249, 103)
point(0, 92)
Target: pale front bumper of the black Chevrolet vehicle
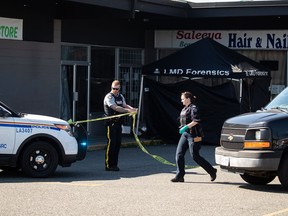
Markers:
point(247, 160)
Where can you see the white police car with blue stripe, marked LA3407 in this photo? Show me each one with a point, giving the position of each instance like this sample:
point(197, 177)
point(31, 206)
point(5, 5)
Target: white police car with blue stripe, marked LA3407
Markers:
point(37, 144)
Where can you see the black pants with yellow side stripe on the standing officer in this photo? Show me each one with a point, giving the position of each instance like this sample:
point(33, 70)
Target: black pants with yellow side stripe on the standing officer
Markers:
point(114, 138)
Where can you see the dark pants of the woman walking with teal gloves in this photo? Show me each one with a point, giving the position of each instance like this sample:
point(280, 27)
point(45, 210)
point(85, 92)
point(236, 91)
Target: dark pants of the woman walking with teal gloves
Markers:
point(185, 142)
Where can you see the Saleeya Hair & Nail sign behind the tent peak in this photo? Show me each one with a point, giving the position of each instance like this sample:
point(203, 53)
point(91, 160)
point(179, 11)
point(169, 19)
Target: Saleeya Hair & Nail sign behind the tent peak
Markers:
point(244, 39)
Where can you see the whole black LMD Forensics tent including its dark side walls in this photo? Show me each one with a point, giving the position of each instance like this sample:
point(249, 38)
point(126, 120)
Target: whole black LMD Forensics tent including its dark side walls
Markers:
point(207, 59)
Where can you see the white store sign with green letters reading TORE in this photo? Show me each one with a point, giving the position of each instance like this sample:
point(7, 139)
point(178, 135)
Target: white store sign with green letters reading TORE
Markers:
point(11, 28)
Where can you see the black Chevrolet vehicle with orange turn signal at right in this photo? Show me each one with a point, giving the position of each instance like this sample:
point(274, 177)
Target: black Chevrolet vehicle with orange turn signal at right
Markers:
point(255, 145)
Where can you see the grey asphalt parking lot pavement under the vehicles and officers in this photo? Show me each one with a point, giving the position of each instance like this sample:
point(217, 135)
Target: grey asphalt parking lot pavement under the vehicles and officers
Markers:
point(142, 187)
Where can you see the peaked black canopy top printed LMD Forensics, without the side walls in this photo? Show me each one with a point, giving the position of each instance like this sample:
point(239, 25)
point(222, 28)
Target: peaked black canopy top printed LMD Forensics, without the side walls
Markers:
point(206, 58)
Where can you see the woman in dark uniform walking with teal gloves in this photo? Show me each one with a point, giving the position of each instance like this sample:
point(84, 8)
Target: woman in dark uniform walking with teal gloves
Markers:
point(191, 137)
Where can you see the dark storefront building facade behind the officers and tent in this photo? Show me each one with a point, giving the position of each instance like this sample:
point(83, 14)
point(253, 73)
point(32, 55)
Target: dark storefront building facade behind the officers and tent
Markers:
point(67, 55)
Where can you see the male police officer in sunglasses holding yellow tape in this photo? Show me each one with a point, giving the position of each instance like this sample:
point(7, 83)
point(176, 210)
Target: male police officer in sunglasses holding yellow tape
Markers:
point(114, 104)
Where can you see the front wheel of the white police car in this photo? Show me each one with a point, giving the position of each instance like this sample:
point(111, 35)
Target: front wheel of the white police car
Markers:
point(39, 160)
